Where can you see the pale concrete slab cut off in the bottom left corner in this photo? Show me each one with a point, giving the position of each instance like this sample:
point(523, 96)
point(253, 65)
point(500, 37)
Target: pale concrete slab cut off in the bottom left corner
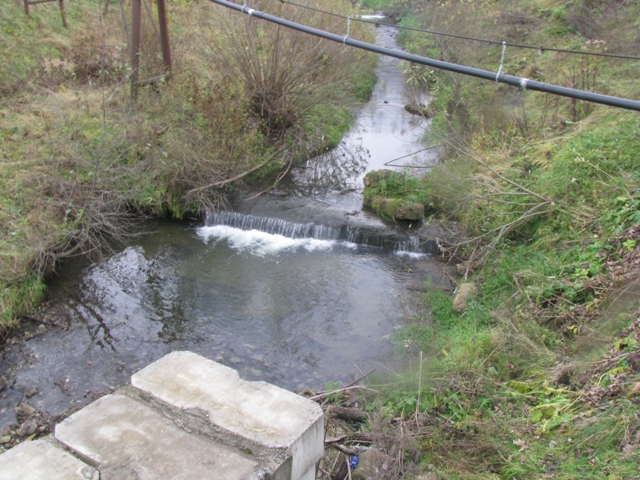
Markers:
point(41, 460)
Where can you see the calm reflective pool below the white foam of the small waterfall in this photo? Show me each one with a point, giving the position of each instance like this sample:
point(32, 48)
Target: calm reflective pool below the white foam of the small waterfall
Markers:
point(294, 319)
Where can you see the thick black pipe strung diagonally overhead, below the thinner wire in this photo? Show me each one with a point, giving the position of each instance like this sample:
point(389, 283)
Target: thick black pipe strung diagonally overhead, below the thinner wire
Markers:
point(523, 83)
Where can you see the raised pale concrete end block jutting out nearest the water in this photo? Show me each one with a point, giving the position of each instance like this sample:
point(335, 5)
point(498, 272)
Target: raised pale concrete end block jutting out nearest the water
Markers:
point(257, 411)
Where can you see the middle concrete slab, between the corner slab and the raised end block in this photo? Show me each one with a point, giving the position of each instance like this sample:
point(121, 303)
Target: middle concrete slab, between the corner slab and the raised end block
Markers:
point(128, 440)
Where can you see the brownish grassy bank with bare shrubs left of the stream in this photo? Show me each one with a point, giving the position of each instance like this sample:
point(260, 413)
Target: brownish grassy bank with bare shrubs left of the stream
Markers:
point(80, 161)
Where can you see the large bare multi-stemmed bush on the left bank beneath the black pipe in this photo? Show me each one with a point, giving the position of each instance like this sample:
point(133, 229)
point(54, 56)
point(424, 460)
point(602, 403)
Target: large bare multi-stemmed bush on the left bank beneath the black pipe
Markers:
point(282, 73)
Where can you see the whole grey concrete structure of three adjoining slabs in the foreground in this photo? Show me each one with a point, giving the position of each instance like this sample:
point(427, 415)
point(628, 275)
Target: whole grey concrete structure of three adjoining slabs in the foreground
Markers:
point(182, 417)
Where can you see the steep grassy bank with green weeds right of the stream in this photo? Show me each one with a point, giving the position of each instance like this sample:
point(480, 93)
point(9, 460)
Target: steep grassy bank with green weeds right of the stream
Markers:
point(538, 377)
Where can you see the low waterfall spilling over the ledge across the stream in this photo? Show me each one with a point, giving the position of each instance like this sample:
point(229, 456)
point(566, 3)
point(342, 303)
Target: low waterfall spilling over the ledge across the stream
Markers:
point(393, 240)
